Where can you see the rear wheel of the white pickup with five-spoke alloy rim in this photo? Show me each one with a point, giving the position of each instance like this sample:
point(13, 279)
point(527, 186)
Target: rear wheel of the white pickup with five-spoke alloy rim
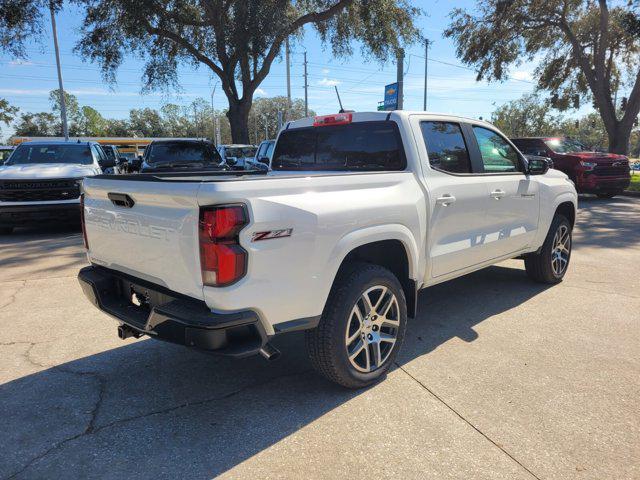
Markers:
point(361, 329)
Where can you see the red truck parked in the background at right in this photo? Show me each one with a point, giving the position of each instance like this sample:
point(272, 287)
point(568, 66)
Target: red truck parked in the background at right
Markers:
point(605, 174)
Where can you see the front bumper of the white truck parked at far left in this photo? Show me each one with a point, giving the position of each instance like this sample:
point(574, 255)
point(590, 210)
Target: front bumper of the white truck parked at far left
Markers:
point(20, 215)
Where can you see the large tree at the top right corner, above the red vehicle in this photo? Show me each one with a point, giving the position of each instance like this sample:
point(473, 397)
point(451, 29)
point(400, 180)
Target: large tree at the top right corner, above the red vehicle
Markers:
point(589, 50)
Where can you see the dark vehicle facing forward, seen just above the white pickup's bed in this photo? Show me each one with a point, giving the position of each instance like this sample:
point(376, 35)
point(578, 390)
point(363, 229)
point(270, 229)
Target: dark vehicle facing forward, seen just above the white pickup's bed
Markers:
point(181, 155)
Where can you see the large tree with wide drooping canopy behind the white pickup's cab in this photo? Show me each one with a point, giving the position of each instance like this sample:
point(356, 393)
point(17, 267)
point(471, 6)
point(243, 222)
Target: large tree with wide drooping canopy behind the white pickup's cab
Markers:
point(236, 41)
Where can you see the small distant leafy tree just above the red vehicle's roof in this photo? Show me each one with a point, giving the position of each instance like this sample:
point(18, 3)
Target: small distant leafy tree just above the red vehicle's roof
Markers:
point(527, 116)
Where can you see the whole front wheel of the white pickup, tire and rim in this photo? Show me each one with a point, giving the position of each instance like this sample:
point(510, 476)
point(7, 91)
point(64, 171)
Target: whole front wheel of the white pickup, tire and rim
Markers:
point(550, 264)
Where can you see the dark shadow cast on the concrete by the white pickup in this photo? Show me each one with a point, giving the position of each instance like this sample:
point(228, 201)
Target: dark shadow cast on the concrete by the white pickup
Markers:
point(155, 410)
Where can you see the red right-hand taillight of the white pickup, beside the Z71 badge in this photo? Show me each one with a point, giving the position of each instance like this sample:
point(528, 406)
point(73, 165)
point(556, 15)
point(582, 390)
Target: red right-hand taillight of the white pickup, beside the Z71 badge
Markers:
point(222, 260)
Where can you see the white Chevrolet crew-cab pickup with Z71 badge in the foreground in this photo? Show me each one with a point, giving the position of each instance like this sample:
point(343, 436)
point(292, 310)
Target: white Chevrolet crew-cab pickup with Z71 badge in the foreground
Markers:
point(360, 212)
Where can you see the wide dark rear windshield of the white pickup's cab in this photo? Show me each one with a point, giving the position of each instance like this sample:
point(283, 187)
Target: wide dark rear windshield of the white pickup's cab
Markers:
point(362, 146)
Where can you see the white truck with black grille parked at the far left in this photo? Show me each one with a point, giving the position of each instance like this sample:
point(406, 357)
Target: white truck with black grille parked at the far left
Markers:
point(41, 181)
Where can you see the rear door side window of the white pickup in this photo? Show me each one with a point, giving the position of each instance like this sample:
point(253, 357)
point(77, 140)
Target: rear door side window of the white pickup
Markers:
point(446, 147)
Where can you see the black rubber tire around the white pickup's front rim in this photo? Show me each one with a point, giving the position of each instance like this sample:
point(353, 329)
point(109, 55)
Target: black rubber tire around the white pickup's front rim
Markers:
point(539, 265)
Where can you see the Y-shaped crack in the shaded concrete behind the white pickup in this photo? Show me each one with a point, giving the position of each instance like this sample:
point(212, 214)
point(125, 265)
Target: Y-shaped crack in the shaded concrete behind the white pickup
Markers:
point(92, 429)
